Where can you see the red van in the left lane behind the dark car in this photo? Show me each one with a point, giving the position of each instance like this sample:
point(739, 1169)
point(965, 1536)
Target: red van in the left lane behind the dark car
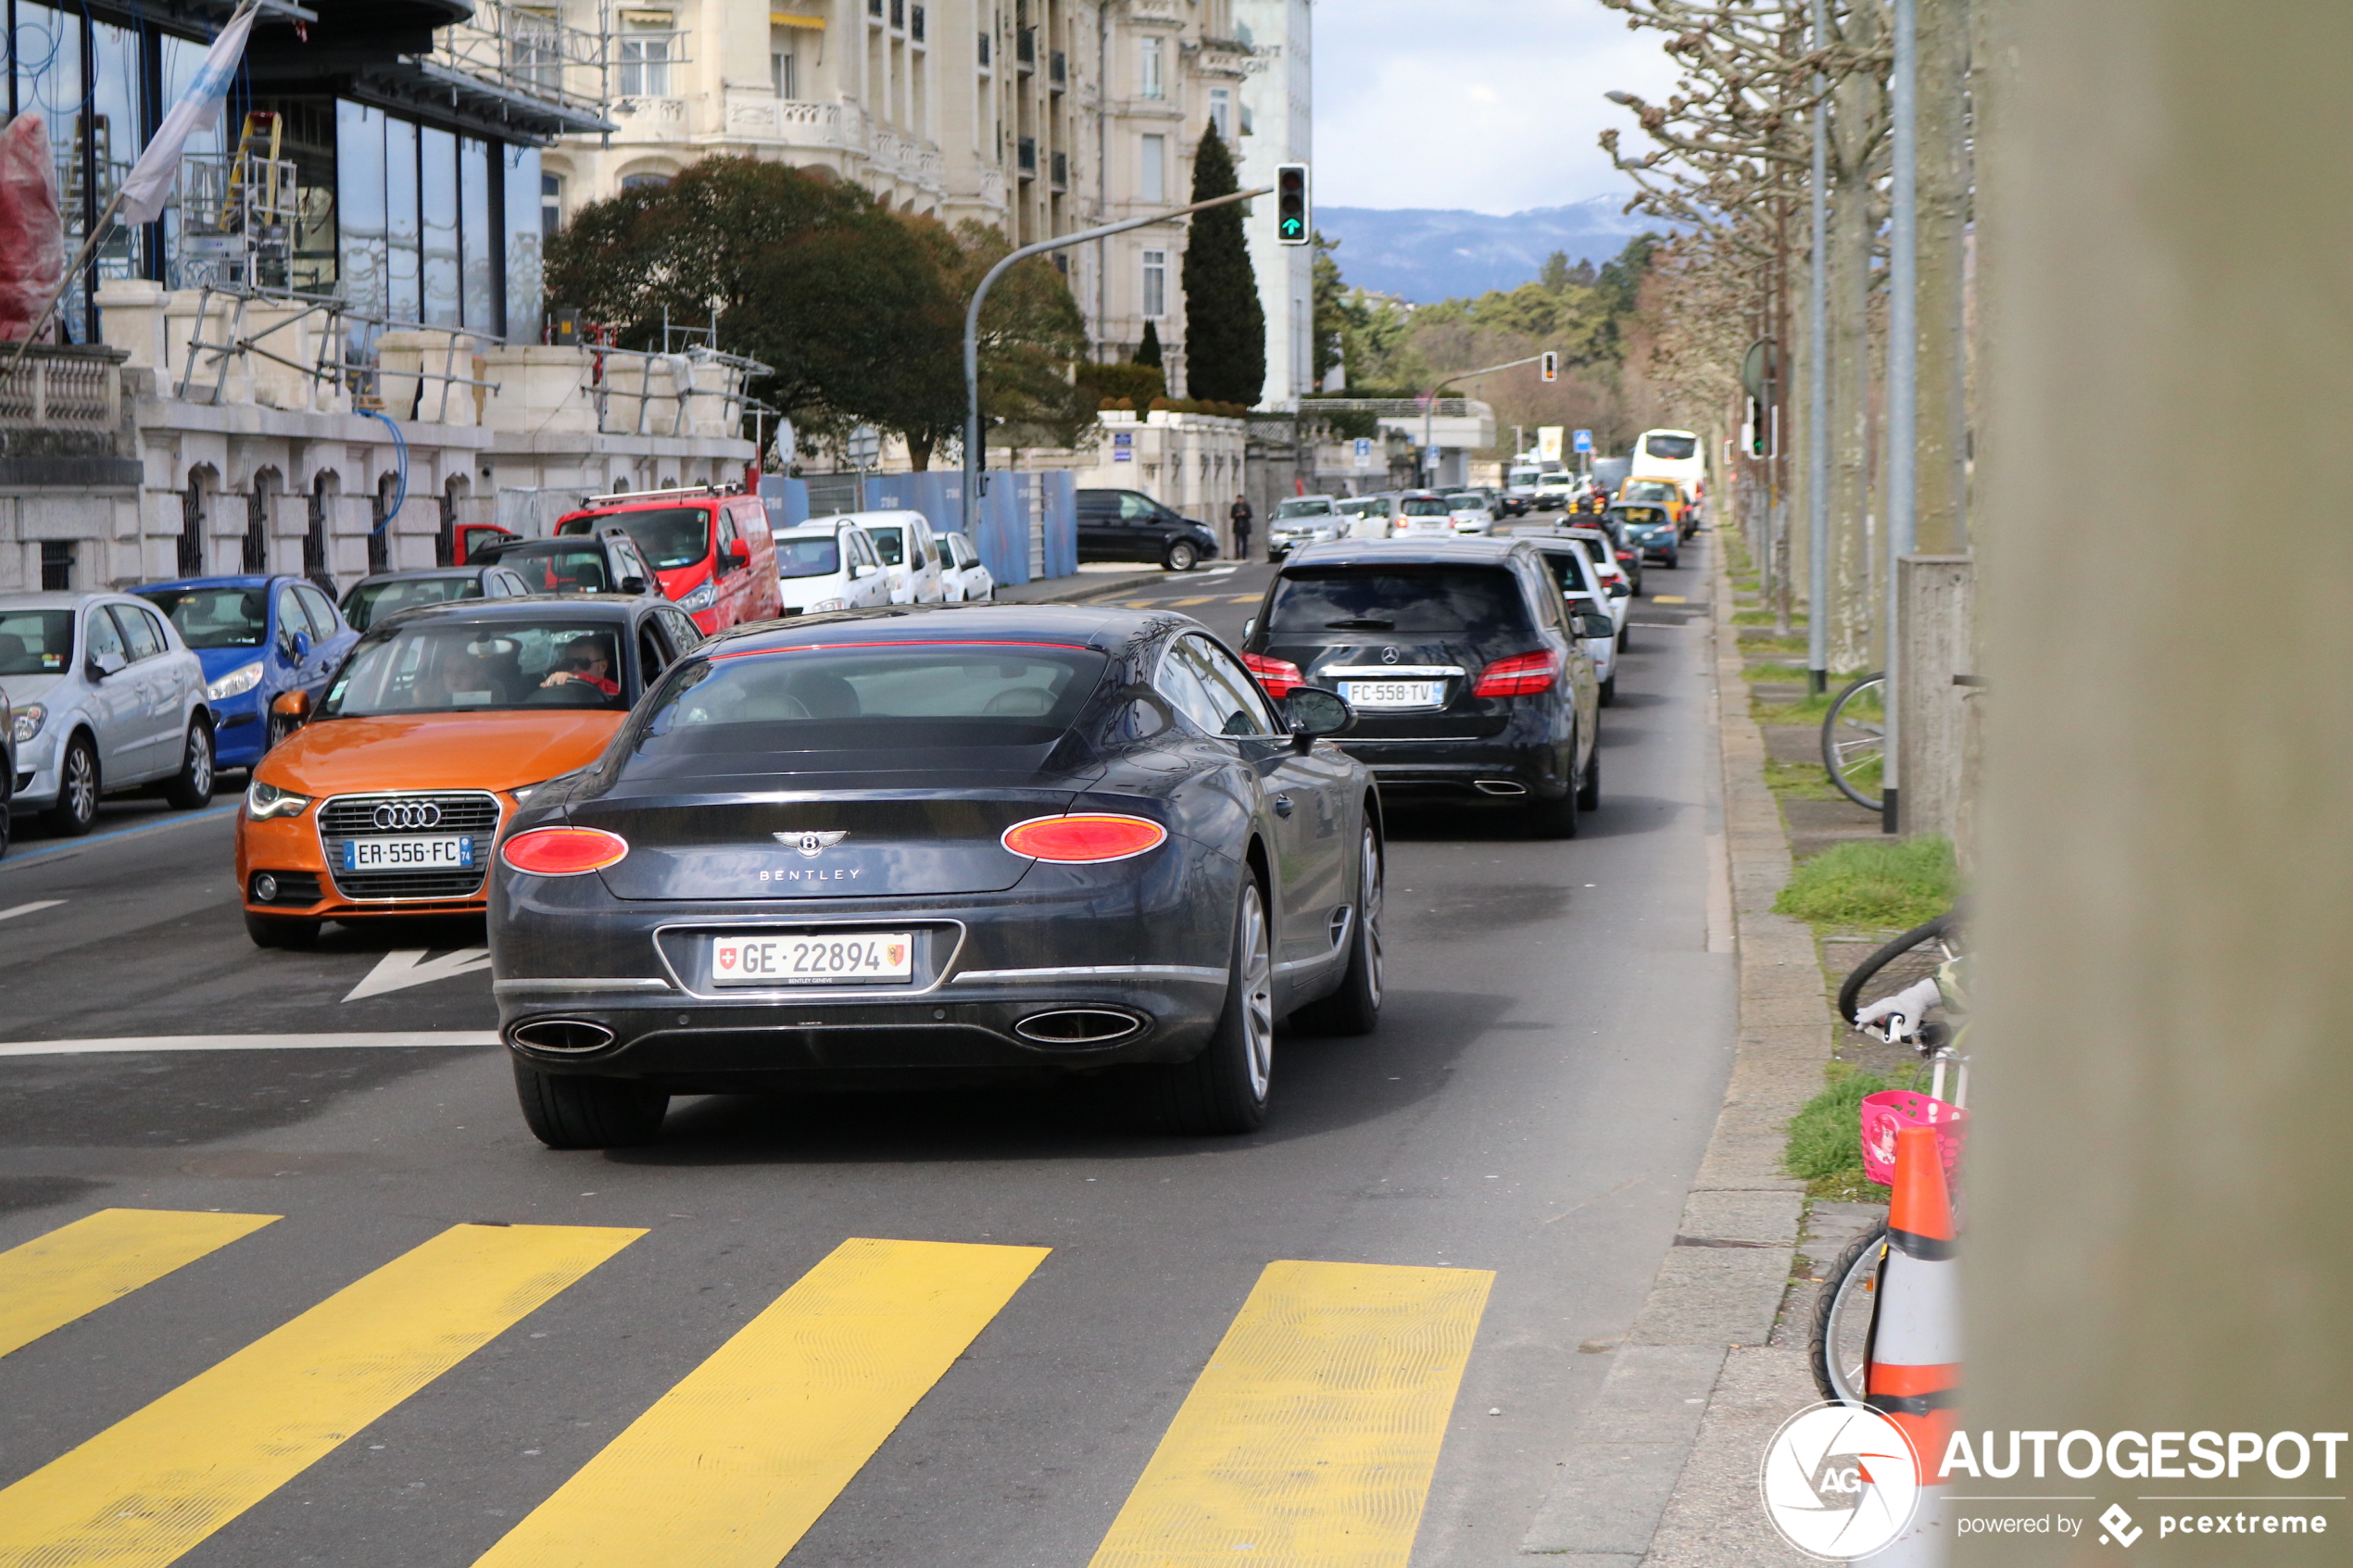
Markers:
point(709, 549)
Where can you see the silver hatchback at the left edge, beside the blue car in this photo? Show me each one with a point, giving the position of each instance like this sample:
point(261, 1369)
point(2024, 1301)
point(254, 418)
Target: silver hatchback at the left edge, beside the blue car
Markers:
point(102, 697)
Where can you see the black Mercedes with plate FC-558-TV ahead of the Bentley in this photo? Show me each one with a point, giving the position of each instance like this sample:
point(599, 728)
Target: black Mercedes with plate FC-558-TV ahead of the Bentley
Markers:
point(1465, 669)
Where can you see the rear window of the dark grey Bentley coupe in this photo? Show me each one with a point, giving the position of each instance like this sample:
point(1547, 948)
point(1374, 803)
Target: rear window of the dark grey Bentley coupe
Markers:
point(872, 699)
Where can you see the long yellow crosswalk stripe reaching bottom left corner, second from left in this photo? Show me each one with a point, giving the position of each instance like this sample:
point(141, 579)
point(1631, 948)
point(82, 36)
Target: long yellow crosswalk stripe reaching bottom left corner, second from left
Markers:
point(166, 1477)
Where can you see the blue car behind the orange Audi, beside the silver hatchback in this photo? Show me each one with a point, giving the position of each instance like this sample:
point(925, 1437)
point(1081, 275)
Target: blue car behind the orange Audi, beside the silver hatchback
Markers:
point(258, 636)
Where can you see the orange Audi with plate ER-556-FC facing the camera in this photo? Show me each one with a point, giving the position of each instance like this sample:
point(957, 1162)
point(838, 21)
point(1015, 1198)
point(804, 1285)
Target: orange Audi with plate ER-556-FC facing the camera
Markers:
point(392, 793)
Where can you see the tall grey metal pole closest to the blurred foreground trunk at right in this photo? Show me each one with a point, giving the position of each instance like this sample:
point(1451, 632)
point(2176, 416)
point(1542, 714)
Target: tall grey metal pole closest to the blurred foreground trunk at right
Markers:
point(1902, 370)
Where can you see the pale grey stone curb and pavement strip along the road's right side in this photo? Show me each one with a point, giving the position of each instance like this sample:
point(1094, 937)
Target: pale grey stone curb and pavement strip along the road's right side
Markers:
point(1665, 1463)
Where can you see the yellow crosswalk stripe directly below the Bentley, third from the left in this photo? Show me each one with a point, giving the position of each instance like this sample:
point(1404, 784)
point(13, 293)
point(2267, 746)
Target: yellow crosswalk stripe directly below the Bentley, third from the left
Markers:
point(740, 1459)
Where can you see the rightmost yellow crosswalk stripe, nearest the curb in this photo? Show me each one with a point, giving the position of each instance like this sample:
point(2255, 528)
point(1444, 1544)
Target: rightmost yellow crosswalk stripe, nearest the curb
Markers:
point(1314, 1433)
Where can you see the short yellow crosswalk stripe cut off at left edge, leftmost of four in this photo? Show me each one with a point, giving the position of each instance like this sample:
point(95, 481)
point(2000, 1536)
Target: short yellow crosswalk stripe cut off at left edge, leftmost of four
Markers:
point(79, 1268)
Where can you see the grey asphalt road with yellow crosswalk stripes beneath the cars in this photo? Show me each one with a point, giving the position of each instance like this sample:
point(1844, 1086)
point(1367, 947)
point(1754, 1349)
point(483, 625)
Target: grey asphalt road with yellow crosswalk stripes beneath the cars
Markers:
point(1486, 1188)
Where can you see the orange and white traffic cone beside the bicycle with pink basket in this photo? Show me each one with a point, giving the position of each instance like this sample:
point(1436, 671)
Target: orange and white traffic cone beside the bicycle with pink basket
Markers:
point(1914, 1369)
